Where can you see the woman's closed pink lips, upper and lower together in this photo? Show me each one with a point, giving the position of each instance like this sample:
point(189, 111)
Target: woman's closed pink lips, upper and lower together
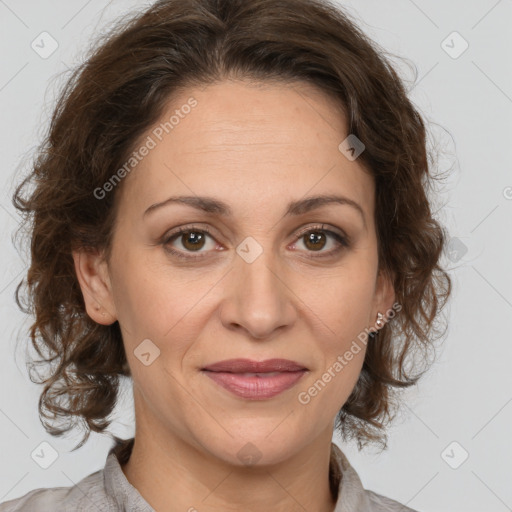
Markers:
point(230, 375)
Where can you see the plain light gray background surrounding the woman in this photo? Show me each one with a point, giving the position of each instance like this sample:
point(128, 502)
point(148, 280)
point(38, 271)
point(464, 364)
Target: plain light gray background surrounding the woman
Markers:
point(467, 397)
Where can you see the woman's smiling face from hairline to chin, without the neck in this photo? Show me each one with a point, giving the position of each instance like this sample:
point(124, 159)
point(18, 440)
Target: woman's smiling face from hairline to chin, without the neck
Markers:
point(256, 286)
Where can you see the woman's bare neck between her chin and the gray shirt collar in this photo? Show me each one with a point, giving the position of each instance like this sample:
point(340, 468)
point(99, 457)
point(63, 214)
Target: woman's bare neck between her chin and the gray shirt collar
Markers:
point(173, 476)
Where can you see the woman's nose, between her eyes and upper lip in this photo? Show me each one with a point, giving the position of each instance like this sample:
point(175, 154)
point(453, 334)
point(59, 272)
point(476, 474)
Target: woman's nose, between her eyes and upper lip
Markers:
point(257, 297)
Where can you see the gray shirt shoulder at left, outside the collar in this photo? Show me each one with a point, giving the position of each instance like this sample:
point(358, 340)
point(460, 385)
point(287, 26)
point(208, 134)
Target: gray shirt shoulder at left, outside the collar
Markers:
point(86, 494)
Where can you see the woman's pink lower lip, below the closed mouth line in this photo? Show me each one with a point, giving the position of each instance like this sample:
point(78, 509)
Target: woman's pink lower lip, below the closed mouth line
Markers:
point(256, 387)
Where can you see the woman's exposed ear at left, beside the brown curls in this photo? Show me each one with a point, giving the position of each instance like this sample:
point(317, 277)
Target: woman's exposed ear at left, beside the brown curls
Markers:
point(94, 279)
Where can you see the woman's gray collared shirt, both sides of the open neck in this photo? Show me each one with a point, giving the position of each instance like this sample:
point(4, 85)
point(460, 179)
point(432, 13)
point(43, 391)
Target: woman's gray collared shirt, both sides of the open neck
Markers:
point(108, 490)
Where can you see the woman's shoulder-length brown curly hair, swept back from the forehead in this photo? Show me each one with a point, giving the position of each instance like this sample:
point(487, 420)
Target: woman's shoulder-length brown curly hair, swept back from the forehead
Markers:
point(122, 88)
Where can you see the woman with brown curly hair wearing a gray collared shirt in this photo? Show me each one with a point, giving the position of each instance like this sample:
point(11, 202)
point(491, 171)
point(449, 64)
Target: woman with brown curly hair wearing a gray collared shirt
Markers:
point(231, 210)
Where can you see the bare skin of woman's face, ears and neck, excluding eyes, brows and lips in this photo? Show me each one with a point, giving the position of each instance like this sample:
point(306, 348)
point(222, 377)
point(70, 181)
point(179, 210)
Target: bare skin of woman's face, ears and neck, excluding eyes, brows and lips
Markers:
point(256, 148)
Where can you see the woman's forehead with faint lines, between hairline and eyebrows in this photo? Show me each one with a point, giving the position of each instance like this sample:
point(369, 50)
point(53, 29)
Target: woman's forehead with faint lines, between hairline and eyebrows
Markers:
point(266, 141)
